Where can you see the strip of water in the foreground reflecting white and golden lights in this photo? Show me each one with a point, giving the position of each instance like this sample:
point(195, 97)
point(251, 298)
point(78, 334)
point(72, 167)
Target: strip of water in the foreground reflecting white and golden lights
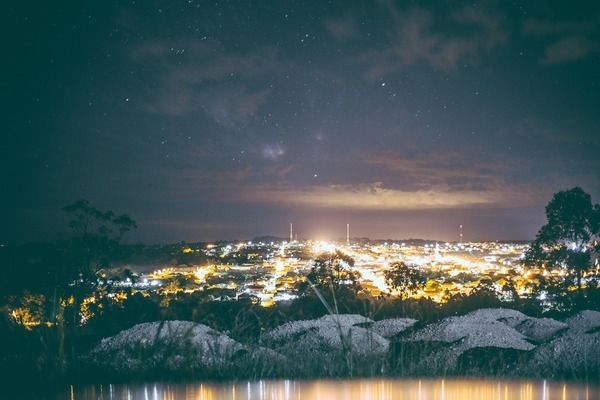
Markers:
point(359, 389)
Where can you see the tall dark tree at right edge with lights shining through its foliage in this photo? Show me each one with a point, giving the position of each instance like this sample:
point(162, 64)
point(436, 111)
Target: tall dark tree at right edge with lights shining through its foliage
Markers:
point(569, 239)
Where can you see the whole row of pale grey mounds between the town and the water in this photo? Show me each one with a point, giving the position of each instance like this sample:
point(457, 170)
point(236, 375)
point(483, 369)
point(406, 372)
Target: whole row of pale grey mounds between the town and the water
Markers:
point(484, 342)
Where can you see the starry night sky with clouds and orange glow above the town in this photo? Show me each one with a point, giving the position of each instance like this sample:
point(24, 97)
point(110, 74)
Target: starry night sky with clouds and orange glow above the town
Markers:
point(210, 120)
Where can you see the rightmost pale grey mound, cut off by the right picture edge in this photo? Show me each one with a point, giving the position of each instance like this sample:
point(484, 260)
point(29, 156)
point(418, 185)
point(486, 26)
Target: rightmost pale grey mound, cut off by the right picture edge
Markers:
point(576, 351)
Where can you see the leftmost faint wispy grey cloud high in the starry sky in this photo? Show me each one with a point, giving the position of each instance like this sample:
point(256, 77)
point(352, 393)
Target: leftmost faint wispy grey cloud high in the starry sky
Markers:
point(200, 76)
